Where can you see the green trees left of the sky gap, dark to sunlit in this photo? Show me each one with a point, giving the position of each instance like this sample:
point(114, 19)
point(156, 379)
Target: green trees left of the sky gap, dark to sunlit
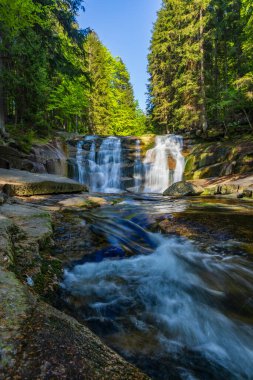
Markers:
point(55, 76)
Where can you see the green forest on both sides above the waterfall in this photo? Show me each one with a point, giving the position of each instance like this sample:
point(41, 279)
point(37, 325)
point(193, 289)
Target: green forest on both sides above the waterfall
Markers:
point(55, 76)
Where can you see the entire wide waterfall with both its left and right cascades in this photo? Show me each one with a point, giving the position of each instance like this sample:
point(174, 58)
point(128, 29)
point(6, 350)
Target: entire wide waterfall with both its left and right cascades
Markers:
point(101, 164)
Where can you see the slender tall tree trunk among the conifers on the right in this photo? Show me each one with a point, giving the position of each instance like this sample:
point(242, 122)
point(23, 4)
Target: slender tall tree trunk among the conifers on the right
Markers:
point(202, 74)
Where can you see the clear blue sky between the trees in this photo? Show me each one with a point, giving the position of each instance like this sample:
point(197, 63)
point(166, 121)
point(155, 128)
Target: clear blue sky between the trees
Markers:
point(124, 27)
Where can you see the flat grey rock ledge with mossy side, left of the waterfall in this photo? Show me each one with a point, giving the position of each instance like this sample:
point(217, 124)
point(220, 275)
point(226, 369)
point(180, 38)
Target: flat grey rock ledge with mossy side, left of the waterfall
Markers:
point(22, 183)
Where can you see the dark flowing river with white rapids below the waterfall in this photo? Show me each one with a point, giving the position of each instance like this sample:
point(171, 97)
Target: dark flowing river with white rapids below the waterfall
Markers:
point(177, 305)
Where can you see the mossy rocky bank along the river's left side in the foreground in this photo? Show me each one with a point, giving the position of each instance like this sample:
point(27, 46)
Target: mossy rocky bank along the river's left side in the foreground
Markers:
point(36, 339)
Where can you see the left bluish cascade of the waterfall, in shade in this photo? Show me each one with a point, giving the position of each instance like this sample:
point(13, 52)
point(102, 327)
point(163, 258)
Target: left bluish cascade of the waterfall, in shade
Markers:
point(101, 170)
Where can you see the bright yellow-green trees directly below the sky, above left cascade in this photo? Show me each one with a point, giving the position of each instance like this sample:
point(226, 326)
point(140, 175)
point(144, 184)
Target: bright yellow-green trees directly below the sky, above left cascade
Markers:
point(112, 108)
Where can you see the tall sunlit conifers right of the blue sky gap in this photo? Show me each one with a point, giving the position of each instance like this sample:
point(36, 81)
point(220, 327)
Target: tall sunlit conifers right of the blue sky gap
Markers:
point(201, 65)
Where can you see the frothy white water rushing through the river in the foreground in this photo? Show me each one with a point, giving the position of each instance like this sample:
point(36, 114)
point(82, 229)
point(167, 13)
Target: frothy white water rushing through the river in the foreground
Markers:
point(173, 300)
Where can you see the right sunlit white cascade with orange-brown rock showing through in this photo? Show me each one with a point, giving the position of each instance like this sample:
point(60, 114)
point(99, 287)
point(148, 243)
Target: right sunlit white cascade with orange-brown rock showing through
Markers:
point(164, 164)
